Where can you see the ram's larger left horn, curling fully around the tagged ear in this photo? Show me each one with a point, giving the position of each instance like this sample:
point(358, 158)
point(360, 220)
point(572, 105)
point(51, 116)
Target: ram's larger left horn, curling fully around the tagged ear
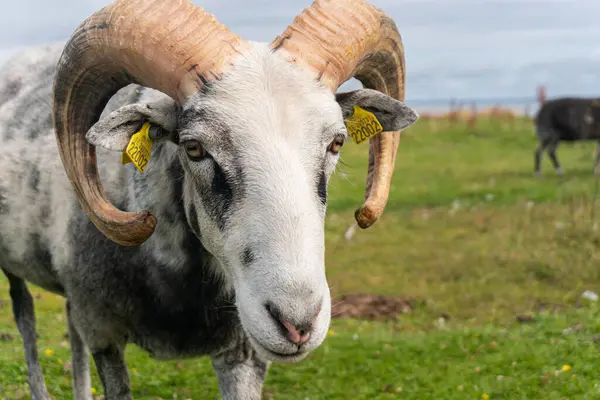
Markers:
point(168, 45)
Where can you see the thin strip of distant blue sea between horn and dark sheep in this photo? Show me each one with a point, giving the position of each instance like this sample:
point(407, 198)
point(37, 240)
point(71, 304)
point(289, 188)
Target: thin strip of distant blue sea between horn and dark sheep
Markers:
point(519, 105)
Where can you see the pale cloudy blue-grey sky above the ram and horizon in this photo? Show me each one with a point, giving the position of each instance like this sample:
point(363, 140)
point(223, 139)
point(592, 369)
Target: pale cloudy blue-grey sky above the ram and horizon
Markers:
point(463, 49)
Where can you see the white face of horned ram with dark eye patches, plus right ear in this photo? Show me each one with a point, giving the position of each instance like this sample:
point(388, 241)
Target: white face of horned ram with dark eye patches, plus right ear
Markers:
point(258, 148)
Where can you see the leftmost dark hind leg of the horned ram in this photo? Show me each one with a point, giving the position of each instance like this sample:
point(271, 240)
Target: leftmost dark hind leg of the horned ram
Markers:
point(24, 313)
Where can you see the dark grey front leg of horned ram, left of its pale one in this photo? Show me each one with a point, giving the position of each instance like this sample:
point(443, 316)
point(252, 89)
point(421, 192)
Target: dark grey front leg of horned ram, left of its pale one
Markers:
point(110, 363)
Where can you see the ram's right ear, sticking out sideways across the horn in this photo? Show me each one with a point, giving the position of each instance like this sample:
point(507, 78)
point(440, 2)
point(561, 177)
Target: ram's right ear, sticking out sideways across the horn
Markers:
point(393, 115)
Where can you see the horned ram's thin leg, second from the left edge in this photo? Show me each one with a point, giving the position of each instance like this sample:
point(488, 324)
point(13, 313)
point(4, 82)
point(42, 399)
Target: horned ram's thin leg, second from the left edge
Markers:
point(82, 383)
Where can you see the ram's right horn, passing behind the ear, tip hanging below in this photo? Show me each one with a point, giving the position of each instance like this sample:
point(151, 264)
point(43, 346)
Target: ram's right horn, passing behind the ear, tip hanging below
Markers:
point(341, 39)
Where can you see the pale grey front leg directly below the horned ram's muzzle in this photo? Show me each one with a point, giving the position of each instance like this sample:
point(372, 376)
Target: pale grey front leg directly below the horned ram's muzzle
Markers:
point(240, 373)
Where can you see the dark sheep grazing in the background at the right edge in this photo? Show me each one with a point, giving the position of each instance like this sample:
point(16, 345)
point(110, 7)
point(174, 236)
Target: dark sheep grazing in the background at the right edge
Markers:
point(568, 120)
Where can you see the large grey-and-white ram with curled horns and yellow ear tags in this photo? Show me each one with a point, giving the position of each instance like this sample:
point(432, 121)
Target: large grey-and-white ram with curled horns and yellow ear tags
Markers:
point(217, 248)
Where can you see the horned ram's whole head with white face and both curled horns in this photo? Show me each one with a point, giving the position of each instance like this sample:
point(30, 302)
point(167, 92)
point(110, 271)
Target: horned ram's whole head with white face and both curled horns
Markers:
point(257, 130)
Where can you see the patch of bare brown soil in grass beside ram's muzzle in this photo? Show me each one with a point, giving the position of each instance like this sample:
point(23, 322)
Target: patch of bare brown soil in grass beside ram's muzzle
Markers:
point(369, 307)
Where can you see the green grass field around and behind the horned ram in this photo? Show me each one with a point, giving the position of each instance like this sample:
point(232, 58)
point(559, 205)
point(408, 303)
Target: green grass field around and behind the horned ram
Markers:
point(468, 233)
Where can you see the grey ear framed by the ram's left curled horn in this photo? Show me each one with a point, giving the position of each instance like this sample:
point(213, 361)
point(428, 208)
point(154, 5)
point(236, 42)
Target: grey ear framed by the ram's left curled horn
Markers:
point(114, 131)
